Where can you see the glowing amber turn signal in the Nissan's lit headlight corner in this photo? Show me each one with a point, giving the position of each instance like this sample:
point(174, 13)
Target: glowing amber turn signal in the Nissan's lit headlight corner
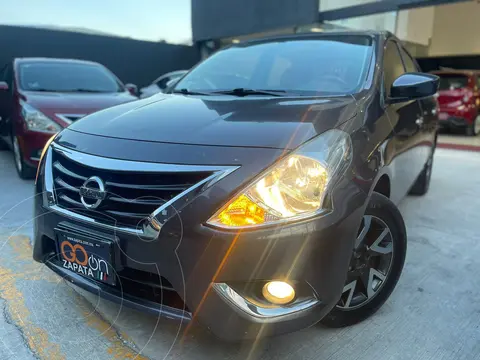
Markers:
point(242, 212)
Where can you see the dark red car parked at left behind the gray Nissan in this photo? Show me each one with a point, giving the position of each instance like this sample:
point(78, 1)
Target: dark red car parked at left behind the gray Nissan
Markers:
point(41, 96)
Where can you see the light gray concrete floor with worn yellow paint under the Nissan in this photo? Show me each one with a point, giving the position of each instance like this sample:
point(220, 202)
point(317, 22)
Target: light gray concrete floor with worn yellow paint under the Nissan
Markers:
point(434, 313)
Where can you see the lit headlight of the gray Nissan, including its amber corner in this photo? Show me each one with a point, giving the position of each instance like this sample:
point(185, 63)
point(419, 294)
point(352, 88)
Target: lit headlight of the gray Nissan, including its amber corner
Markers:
point(293, 188)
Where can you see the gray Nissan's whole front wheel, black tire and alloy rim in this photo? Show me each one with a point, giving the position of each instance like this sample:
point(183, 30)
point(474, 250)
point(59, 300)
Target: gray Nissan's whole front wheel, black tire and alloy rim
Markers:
point(376, 264)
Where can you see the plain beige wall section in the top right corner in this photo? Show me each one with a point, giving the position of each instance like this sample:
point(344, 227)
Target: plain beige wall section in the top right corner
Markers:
point(456, 29)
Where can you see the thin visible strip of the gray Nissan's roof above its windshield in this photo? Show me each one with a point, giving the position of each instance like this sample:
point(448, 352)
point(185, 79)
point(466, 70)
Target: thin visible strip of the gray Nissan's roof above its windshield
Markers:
point(318, 35)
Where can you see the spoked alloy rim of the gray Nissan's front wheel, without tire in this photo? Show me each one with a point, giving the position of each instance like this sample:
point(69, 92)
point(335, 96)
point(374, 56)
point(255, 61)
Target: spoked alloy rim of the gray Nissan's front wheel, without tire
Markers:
point(370, 265)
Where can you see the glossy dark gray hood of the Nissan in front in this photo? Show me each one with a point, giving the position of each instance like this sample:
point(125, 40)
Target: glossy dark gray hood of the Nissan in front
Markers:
point(273, 122)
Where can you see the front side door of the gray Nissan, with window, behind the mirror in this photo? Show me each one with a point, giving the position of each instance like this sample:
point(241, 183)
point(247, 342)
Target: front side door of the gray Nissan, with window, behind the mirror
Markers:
point(408, 159)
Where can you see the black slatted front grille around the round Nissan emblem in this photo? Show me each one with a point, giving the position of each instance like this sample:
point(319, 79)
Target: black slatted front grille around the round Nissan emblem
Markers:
point(131, 196)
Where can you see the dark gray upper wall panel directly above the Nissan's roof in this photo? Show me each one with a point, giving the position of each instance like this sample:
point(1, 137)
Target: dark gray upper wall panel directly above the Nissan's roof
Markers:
point(213, 19)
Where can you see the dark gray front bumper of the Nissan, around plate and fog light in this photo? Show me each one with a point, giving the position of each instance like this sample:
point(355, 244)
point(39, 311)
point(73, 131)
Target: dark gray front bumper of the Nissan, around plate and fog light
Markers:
point(306, 252)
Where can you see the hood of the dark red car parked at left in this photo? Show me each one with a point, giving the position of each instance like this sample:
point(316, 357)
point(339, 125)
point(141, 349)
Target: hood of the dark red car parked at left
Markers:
point(53, 104)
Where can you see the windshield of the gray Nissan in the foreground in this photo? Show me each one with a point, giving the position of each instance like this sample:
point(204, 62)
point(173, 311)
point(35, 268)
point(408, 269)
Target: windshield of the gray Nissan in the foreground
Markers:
point(329, 65)
